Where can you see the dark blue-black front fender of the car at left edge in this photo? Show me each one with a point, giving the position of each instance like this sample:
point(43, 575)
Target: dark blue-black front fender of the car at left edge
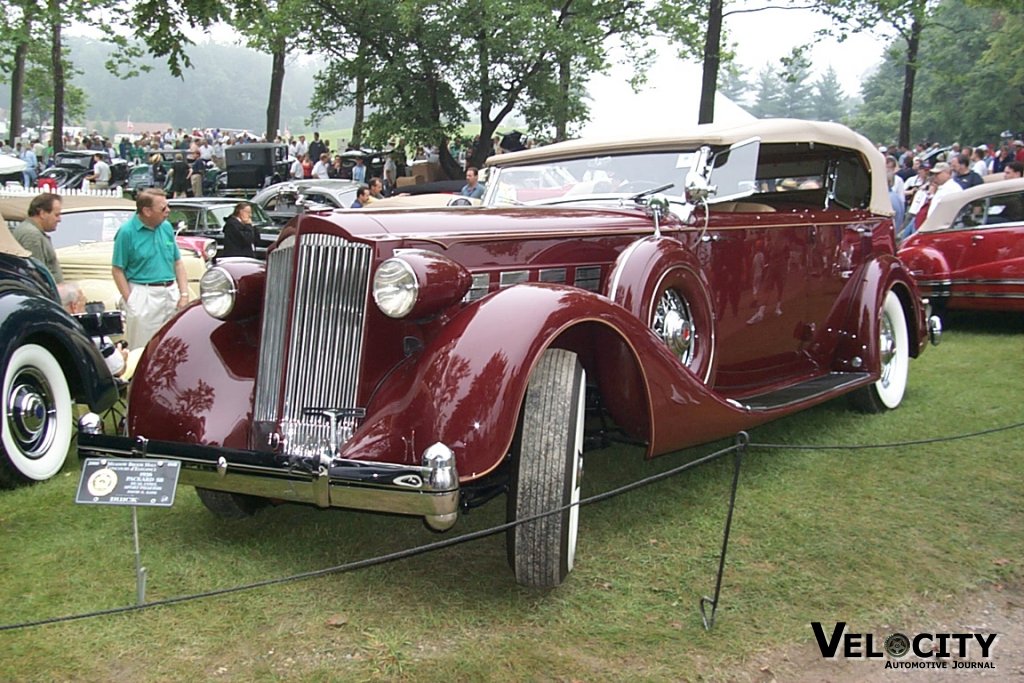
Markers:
point(26, 319)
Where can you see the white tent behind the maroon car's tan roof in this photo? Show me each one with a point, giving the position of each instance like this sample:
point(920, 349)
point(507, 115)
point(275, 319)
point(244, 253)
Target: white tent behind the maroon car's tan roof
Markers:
point(668, 104)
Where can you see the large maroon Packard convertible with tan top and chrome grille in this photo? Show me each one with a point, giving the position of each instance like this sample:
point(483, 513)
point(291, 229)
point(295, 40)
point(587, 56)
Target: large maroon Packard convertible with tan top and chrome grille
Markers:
point(423, 362)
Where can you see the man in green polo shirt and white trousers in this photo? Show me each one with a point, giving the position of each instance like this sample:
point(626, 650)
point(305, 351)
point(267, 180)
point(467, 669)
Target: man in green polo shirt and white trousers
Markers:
point(148, 269)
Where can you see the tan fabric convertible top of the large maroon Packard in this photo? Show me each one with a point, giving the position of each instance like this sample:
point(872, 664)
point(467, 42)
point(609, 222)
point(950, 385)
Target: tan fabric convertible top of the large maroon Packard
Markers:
point(770, 131)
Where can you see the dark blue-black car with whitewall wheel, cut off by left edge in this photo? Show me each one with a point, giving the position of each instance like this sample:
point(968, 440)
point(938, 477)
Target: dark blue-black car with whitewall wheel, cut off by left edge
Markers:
point(50, 364)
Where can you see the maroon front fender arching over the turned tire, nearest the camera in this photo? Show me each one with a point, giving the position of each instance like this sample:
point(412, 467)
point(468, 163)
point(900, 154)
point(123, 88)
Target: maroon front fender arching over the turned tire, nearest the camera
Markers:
point(466, 388)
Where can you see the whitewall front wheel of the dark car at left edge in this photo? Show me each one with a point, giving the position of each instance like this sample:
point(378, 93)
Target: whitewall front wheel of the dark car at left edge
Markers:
point(37, 417)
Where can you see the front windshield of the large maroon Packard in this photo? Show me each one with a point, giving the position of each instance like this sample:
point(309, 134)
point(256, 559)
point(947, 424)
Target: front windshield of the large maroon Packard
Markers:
point(565, 181)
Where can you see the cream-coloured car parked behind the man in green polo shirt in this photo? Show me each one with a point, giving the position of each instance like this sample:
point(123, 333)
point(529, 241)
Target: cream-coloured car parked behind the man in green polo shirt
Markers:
point(84, 242)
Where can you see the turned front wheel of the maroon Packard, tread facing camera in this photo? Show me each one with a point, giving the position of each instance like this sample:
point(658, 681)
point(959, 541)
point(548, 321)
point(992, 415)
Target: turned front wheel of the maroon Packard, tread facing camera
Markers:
point(548, 460)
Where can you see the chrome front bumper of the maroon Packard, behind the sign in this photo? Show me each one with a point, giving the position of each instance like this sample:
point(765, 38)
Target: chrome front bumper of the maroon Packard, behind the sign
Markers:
point(431, 491)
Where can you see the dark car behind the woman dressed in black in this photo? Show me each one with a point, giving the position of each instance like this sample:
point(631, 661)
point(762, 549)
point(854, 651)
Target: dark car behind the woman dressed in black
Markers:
point(204, 219)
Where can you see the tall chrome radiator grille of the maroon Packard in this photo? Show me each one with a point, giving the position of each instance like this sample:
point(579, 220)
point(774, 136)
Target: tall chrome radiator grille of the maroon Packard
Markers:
point(313, 335)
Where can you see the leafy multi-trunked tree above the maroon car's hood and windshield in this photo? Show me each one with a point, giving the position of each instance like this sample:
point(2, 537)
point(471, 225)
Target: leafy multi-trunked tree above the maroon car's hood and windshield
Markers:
point(536, 55)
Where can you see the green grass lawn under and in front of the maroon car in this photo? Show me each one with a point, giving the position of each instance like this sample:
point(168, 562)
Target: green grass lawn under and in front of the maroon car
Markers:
point(862, 536)
